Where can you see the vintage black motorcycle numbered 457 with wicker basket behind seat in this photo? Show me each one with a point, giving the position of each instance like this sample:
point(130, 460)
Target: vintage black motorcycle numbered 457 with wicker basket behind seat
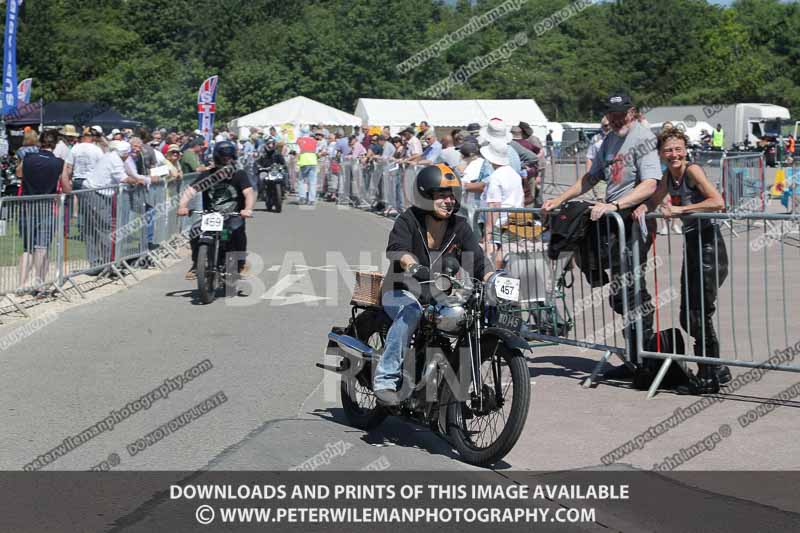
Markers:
point(465, 376)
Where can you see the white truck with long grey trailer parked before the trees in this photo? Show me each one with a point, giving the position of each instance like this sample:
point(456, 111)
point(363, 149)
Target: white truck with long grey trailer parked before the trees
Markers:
point(745, 125)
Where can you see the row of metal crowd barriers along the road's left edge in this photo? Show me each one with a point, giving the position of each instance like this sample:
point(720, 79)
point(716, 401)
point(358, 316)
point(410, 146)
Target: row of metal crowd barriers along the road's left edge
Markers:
point(48, 240)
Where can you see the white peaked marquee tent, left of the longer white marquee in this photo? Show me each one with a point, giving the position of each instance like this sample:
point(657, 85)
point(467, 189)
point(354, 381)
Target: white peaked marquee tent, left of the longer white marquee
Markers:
point(299, 111)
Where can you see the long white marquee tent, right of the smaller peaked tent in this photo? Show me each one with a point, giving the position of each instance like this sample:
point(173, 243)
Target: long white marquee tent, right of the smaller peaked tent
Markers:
point(448, 113)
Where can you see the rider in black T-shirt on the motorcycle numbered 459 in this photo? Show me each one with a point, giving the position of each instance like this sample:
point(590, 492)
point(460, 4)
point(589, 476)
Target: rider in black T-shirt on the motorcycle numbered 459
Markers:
point(234, 191)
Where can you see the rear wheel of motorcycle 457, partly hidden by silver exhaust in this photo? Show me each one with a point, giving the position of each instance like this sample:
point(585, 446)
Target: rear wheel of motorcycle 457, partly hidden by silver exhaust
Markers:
point(358, 401)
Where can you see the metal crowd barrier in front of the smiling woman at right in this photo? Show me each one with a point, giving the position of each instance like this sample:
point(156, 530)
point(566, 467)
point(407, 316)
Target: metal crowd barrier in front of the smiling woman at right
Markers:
point(745, 300)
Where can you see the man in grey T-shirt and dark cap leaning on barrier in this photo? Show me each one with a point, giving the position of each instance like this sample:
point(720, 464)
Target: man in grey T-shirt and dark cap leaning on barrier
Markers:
point(627, 160)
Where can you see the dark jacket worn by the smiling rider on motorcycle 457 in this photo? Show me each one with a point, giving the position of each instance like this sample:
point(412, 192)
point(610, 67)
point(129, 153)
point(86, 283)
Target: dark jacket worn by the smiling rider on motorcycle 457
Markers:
point(408, 236)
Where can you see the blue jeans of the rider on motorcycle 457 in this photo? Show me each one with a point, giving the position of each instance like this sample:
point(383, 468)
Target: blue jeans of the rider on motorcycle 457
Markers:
point(405, 312)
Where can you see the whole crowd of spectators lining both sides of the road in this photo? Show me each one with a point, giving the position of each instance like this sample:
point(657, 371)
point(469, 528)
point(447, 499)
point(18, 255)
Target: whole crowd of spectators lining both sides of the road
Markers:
point(486, 158)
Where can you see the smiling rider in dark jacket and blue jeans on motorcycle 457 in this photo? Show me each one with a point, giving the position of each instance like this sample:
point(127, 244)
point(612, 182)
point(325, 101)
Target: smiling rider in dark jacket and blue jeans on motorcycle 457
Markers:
point(420, 240)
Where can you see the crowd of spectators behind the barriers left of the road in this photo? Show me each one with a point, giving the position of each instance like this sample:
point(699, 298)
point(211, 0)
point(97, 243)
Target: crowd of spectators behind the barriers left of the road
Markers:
point(65, 160)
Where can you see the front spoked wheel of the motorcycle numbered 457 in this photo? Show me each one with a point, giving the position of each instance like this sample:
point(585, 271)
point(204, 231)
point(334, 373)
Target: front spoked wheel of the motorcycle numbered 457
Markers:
point(485, 427)
